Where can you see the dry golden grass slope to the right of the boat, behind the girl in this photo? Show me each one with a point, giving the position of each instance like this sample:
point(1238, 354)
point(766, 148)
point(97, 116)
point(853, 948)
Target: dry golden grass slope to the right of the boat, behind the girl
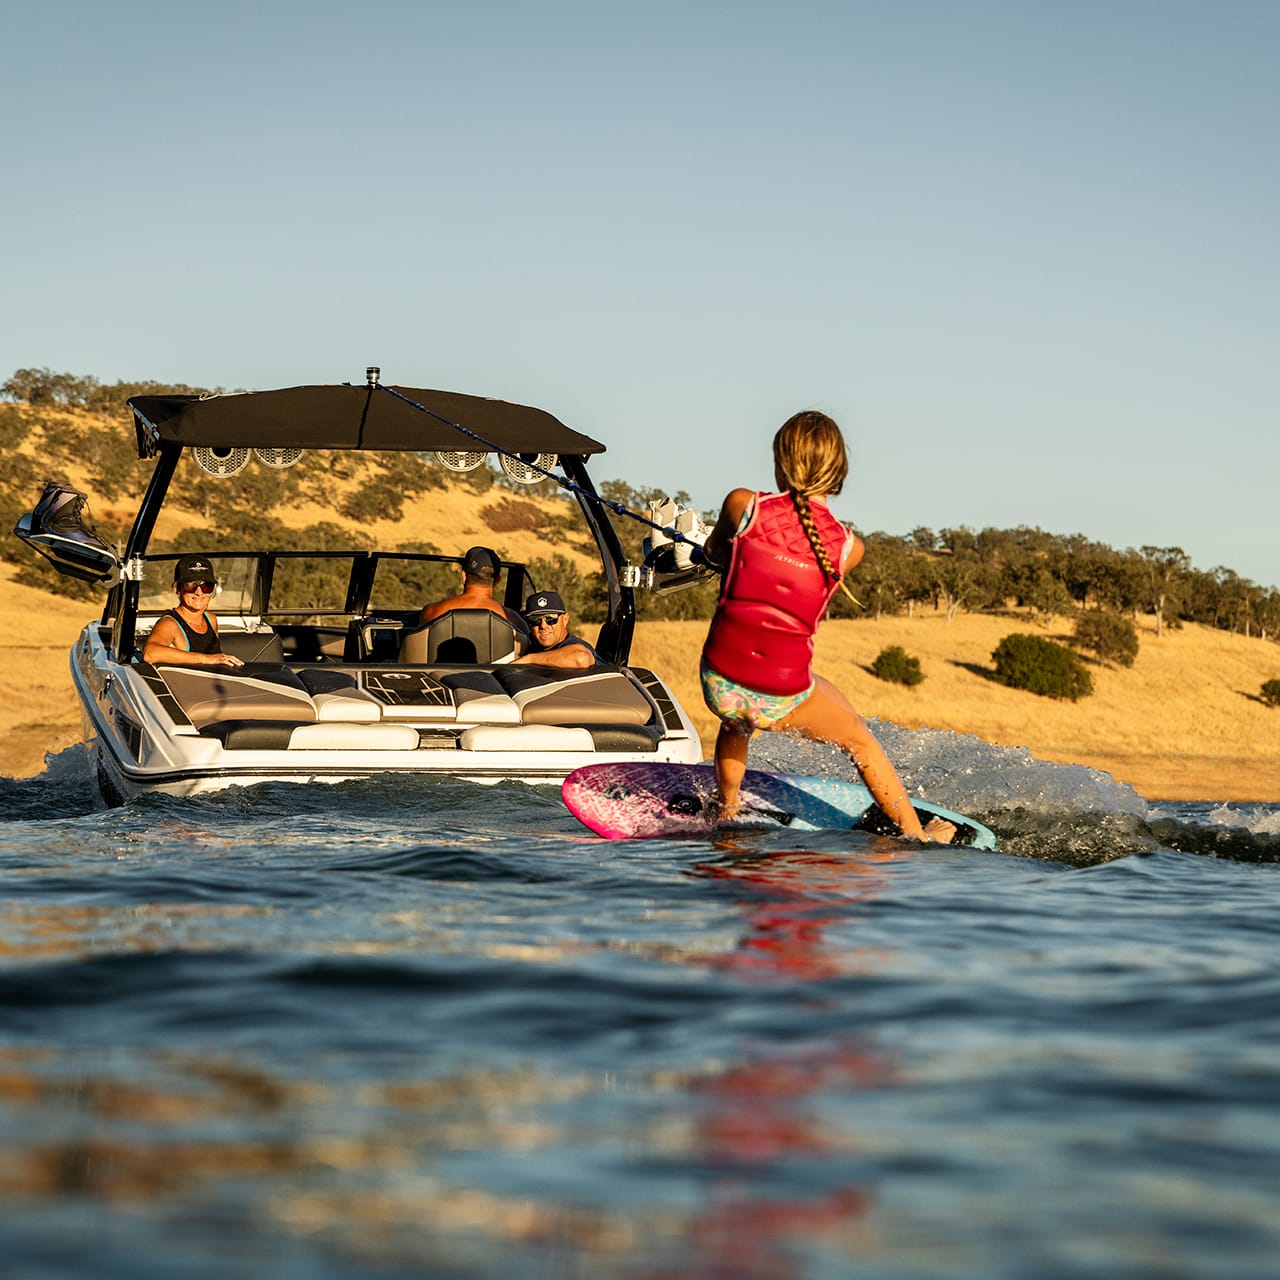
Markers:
point(1183, 724)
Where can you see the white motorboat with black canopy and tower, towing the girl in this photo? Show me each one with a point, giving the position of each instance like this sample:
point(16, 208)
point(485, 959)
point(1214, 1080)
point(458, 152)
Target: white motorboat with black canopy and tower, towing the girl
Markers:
point(340, 680)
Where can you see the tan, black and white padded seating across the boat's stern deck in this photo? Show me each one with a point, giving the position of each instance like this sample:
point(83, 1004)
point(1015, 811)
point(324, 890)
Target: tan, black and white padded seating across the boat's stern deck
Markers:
point(269, 707)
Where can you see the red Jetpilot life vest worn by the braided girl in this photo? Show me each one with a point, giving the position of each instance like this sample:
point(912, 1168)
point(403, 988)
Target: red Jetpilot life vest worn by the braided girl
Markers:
point(774, 596)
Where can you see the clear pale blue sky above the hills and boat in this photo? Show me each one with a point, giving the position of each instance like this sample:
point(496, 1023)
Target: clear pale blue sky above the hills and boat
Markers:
point(1026, 253)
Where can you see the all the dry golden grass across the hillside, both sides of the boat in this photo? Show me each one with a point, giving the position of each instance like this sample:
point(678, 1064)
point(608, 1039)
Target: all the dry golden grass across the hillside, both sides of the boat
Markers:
point(1185, 723)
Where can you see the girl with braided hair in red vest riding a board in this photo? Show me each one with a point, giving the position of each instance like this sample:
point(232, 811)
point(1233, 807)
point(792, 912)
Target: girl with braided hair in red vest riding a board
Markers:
point(783, 557)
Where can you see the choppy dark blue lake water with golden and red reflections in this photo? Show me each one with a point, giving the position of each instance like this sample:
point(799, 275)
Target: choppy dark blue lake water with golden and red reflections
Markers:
point(408, 1028)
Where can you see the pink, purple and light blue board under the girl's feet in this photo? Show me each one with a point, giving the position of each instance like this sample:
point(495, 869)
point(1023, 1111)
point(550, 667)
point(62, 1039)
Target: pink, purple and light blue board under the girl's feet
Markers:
point(639, 801)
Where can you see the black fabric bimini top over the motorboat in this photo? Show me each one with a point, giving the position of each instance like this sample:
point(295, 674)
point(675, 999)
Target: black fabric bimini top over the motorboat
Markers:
point(354, 418)
